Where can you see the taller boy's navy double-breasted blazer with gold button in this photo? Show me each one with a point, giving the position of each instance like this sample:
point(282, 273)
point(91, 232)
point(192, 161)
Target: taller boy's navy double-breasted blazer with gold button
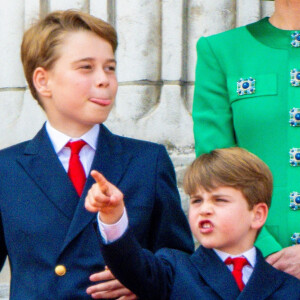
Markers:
point(43, 222)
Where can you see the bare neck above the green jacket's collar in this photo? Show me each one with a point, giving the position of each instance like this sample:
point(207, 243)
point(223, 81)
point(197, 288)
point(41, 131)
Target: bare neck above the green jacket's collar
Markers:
point(286, 15)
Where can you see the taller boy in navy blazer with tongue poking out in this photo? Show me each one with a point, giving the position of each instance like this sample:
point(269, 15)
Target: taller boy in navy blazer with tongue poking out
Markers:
point(45, 231)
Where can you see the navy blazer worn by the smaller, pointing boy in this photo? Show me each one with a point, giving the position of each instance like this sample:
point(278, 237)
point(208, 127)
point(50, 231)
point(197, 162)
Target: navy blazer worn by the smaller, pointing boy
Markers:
point(173, 274)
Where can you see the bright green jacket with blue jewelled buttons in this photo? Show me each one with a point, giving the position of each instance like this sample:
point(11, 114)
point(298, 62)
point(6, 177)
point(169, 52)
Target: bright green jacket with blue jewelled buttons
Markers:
point(247, 94)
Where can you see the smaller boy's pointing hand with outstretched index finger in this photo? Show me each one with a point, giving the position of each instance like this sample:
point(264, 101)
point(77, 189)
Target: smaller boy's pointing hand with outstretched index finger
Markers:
point(105, 198)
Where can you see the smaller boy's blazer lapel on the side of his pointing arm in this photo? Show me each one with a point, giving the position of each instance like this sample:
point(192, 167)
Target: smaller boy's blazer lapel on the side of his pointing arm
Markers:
point(215, 273)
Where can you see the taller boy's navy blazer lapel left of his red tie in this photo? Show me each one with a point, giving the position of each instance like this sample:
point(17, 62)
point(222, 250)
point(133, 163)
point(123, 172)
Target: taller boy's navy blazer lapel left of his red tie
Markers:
point(41, 163)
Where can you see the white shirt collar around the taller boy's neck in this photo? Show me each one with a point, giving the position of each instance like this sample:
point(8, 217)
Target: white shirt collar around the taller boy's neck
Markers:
point(59, 139)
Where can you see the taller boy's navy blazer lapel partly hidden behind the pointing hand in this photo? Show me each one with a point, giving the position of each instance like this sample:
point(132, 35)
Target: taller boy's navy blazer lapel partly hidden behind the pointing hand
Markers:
point(112, 161)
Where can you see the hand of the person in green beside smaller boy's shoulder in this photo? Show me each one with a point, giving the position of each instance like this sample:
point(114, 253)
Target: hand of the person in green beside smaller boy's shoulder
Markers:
point(287, 260)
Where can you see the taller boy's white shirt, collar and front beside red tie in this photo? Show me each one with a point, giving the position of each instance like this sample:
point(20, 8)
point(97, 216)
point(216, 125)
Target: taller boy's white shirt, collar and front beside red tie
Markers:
point(87, 153)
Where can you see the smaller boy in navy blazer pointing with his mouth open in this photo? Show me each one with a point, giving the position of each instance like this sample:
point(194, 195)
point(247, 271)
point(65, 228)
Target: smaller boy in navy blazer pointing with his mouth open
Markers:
point(230, 192)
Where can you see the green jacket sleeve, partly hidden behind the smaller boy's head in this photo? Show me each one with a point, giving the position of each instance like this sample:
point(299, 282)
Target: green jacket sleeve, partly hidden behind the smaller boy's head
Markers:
point(213, 120)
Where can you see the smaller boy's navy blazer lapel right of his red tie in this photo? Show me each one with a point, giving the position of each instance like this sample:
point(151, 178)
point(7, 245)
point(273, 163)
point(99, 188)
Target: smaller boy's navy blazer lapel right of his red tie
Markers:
point(263, 281)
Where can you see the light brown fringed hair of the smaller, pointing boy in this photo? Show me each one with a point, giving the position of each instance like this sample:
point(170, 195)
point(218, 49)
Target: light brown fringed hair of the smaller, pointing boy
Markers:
point(233, 167)
